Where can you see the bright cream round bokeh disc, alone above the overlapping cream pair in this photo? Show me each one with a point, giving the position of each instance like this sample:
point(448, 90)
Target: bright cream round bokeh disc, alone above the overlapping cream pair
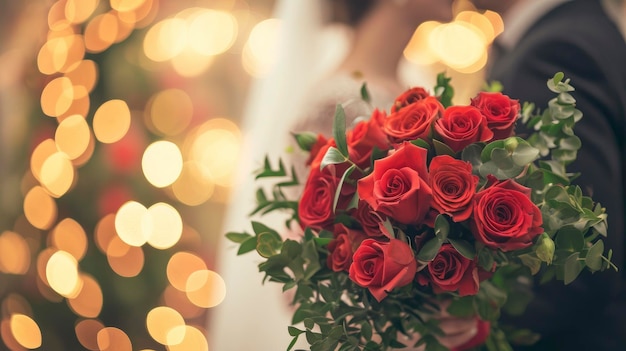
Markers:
point(162, 163)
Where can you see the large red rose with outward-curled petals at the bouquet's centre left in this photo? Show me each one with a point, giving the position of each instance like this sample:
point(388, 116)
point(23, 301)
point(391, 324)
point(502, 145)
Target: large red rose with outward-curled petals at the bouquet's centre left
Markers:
point(398, 186)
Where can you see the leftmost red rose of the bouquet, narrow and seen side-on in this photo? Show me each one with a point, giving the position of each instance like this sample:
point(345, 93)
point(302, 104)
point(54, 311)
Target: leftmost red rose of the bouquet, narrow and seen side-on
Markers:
point(315, 209)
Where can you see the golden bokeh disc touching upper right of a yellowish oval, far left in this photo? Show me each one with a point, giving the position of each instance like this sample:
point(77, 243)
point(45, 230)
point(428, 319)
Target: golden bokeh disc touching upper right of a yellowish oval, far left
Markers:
point(72, 136)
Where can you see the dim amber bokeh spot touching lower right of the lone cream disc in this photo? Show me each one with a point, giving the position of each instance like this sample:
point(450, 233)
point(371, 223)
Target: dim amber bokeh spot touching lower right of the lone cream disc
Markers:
point(191, 187)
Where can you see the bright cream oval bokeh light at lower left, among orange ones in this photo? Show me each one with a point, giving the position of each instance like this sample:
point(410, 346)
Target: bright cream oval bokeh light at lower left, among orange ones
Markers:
point(62, 274)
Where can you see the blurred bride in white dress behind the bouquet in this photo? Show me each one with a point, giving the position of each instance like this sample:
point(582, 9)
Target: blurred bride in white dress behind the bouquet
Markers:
point(301, 94)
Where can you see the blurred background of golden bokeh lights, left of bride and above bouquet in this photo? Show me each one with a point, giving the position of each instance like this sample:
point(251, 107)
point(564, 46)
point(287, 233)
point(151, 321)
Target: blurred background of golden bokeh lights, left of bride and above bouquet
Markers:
point(119, 135)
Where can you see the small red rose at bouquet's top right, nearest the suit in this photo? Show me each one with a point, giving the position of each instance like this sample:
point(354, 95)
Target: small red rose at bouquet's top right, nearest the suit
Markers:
point(501, 112)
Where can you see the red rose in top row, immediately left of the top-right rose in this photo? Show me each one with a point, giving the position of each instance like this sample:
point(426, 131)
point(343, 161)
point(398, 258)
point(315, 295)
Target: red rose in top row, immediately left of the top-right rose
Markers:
point(461, 126)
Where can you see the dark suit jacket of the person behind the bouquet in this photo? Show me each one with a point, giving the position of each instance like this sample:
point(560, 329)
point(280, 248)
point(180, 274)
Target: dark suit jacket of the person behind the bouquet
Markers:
point(578, 39)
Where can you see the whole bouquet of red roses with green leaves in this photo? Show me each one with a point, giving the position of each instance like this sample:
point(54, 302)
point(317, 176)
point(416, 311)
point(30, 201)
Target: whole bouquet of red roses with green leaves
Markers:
point(428, 205)
